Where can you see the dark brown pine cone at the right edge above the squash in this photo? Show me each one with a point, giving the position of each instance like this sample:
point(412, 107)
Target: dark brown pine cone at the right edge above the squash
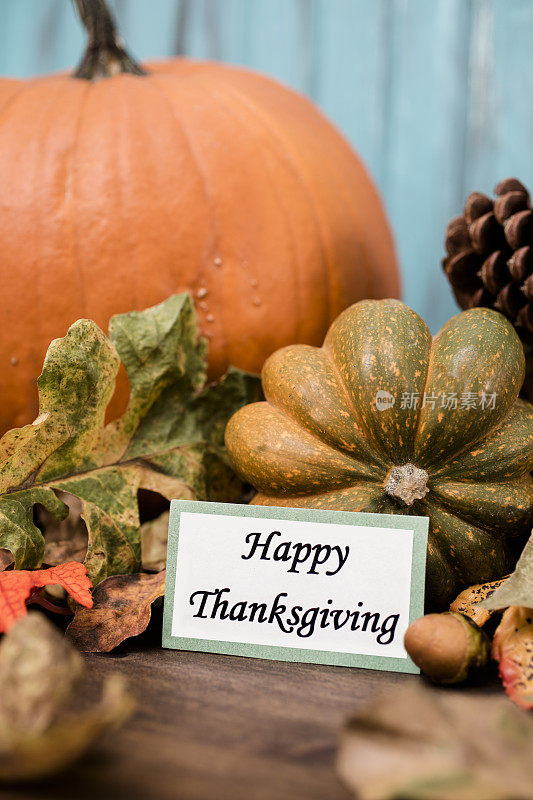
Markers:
point(490, 254)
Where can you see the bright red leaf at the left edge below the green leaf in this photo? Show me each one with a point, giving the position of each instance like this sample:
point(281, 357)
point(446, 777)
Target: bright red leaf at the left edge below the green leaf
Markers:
point(17, 586)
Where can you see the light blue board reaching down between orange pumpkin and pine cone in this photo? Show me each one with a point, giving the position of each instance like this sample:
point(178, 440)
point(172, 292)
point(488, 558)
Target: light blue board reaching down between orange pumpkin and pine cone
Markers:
point(425, 140)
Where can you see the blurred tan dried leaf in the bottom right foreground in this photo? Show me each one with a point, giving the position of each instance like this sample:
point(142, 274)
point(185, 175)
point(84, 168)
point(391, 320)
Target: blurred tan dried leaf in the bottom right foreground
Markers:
point(426, 744)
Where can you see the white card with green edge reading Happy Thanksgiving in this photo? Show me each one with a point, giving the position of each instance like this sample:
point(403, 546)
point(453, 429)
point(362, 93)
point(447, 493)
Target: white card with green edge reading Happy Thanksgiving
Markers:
point(285, 587)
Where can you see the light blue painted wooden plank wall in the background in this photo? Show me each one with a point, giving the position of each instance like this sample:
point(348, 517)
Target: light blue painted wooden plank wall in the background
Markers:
point(436, 95)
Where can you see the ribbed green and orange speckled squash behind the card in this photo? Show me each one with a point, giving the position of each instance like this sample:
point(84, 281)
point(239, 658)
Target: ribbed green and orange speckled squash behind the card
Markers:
point(322, 441)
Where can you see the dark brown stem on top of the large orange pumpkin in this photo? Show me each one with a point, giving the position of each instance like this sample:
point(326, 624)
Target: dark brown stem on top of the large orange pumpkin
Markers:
point(105, 54)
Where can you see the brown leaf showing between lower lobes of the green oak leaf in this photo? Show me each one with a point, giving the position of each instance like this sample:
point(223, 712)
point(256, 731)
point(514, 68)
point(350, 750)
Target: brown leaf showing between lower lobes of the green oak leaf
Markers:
point(66, 539)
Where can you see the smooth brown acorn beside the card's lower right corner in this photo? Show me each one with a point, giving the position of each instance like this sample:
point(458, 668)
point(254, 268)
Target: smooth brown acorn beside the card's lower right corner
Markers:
point(447, 647)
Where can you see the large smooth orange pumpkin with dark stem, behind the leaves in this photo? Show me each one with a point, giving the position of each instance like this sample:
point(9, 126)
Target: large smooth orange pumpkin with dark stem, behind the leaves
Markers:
point(122, 185)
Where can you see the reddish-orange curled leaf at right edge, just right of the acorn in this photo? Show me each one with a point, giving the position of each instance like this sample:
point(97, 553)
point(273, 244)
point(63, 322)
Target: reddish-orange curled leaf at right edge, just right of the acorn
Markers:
point(512, 648)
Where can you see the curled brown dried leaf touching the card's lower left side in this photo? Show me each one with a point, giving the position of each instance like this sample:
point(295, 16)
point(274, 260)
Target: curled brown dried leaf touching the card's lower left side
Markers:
point(122, 609)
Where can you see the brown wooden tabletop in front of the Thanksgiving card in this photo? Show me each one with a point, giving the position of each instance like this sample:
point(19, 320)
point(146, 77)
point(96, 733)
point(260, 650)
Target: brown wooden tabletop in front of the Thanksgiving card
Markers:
point(212, 727)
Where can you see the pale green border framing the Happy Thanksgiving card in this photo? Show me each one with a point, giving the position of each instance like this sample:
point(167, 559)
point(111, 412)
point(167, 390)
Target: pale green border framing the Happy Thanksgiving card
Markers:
point(416, 607)
